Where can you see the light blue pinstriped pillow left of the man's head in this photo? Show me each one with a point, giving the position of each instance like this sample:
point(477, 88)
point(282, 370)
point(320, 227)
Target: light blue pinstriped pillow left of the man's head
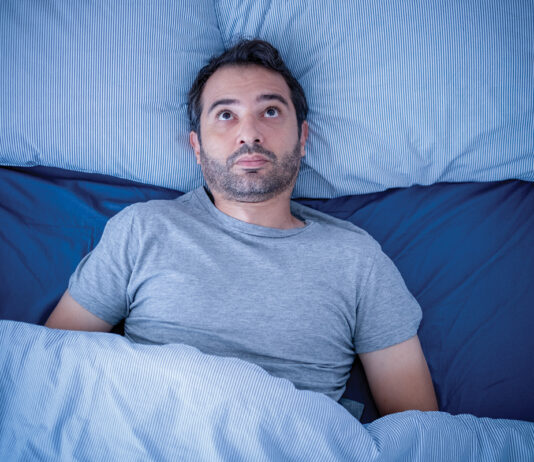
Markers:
point(101, 86)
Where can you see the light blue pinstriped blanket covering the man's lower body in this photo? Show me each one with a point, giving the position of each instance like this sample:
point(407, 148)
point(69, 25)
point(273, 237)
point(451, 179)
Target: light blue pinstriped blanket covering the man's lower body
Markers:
point(68, 395)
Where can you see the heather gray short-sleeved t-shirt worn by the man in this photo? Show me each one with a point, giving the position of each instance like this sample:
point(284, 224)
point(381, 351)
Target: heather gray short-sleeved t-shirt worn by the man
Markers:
point(299, 302)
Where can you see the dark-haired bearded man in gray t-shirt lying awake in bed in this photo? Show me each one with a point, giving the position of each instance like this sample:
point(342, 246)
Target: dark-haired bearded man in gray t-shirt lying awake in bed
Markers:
point(239, 269)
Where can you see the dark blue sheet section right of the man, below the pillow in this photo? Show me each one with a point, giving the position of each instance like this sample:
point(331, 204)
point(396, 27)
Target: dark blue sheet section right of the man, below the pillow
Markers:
point(465, 252)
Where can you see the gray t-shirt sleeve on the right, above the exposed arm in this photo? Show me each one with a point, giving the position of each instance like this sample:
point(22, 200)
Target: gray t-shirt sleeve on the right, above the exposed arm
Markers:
point(387, 313)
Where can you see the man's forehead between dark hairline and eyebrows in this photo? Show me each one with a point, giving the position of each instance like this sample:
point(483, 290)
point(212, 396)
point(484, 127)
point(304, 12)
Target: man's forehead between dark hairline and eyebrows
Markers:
point(238, 82)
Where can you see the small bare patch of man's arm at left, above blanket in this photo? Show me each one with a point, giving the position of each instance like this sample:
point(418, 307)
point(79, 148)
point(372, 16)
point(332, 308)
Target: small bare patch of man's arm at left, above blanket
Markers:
point(70, 315)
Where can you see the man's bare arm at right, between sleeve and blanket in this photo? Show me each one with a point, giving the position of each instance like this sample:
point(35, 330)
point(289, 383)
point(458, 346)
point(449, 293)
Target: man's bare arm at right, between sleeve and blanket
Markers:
point(399, 378)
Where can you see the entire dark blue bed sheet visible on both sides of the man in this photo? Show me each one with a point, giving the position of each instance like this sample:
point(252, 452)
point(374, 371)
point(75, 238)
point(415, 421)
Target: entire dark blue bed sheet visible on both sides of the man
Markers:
point(466, 252)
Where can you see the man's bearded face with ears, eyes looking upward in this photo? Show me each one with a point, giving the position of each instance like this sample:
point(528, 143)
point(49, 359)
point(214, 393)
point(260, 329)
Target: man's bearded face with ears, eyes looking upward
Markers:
point(249, 149)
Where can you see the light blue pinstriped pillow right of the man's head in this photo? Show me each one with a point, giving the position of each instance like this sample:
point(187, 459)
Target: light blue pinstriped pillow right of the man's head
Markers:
point(403, 93)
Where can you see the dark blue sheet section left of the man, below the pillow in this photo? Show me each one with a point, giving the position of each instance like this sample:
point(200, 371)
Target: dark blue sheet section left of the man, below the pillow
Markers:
point(51, 219)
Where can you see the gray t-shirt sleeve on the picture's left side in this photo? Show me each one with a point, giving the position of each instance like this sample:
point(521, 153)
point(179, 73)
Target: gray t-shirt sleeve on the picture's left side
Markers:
point(100, 281)
